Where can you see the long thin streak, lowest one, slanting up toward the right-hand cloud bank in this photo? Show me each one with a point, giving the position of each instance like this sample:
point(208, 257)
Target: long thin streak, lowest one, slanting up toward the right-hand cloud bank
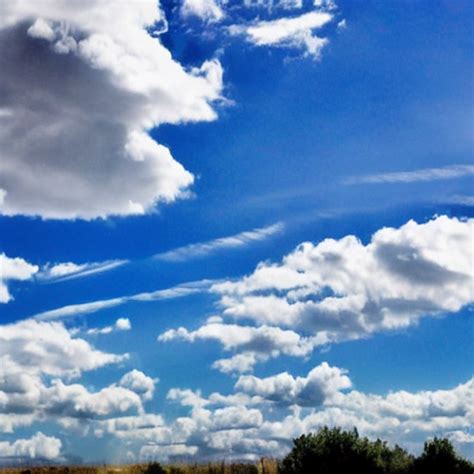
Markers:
point(73, 310)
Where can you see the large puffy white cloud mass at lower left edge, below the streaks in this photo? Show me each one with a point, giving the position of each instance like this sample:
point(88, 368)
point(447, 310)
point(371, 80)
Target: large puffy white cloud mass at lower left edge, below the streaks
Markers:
point(37, 361)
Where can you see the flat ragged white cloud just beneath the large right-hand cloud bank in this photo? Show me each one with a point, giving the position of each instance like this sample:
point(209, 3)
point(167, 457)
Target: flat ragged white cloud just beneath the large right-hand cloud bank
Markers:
point(256, 343)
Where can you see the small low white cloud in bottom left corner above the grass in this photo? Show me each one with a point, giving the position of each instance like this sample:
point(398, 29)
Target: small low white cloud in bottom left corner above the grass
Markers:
point(38, 446)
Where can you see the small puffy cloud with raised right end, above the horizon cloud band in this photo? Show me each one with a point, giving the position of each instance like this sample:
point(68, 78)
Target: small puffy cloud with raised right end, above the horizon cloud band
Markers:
point(322, 383)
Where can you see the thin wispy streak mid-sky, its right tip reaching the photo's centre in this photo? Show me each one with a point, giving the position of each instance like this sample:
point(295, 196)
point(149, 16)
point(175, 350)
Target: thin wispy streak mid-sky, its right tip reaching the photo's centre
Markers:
point(235, 241)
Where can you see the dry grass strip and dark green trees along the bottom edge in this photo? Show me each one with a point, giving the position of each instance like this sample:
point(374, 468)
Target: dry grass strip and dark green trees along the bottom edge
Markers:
point(330, 450)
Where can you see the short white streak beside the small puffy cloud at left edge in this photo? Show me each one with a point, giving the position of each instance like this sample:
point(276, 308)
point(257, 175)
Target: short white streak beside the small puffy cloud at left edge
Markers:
point(69, 270)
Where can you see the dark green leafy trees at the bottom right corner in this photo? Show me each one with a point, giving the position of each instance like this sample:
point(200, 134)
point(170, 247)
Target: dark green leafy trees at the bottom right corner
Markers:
point(332, 450)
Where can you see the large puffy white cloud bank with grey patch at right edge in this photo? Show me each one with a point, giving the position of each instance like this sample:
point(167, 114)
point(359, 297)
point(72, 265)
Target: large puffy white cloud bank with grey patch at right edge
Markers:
point(343, 289)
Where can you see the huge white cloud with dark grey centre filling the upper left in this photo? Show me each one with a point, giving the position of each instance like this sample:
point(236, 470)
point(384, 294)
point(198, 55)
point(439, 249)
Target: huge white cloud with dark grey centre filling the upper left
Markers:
point(74, 120)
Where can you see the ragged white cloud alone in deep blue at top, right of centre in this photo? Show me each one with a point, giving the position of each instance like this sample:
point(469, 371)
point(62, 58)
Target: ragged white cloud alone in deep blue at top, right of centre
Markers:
point(295, 32)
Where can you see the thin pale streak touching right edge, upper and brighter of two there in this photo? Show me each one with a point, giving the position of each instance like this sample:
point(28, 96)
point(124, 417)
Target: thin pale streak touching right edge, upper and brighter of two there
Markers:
point(426, 174)
